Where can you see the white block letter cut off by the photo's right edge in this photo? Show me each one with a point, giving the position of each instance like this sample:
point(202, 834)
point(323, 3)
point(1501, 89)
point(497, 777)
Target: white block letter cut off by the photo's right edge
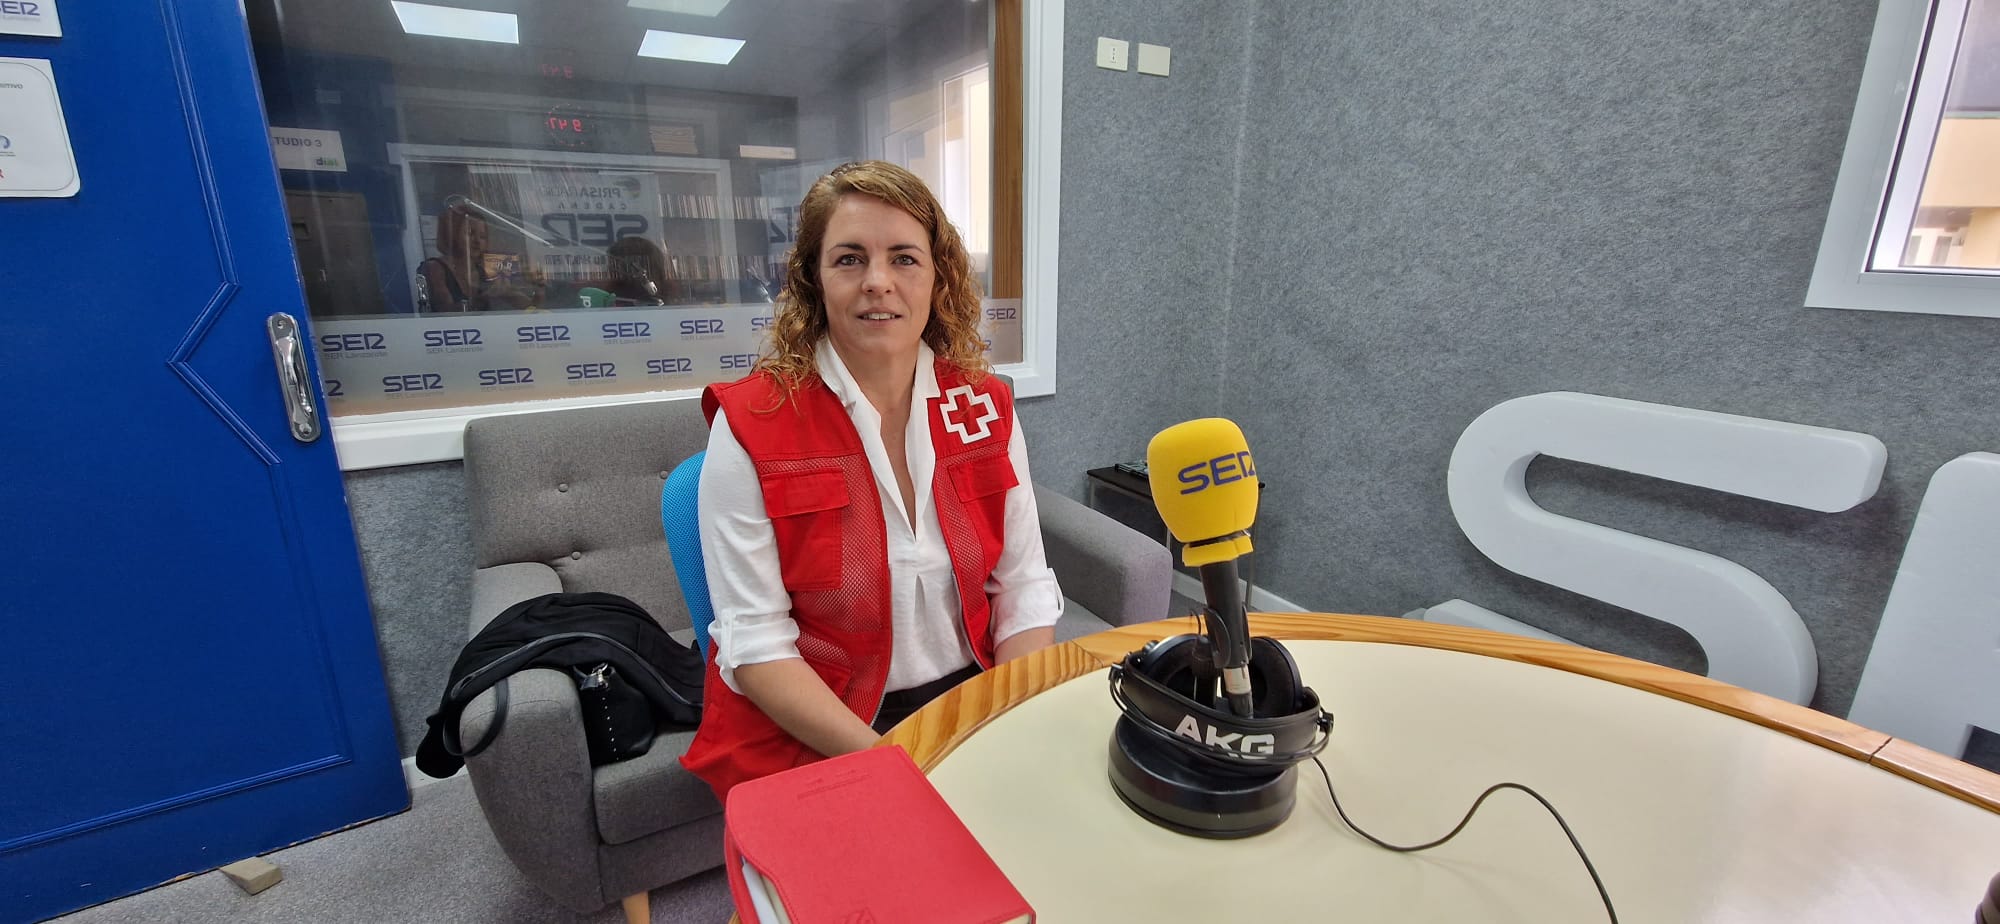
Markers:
point(1935, 667)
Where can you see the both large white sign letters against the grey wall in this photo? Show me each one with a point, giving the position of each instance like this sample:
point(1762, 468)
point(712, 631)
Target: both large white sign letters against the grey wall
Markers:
point(1933, 671)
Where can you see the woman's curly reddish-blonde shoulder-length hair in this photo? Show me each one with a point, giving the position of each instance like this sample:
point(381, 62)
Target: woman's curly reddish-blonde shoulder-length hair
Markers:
point(801, 315)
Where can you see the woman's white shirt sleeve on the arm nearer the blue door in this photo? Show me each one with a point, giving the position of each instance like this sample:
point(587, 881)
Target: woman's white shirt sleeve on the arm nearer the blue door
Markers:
point(739, 549)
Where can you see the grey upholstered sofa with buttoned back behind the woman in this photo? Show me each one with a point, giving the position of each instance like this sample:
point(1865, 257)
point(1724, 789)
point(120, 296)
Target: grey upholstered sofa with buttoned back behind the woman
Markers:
point(571, 501)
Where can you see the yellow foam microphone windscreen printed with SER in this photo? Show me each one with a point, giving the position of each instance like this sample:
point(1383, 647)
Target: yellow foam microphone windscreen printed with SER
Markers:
point(1205, 487)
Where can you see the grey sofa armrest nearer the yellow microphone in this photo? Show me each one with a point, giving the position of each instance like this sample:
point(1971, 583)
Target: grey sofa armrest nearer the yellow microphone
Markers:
point(1113, 571)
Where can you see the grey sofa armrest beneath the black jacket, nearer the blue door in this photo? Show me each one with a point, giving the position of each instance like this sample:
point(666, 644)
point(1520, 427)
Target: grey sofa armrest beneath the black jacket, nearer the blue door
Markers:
point(535, 785)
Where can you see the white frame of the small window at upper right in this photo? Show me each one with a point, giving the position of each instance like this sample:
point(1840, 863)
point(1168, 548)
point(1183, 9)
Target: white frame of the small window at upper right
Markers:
point(1877, 143)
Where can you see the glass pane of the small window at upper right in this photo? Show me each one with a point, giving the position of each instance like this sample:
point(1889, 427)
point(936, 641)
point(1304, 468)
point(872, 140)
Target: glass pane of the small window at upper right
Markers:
point(1957, 217)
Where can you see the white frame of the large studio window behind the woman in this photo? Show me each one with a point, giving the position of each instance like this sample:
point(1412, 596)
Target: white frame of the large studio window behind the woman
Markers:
point(1025, 29)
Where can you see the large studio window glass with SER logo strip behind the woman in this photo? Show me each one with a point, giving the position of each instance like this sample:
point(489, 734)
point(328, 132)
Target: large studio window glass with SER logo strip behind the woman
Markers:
point(547, 199)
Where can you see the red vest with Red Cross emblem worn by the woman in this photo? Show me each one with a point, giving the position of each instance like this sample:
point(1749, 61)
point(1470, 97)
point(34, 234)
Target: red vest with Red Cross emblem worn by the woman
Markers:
point(833, 547)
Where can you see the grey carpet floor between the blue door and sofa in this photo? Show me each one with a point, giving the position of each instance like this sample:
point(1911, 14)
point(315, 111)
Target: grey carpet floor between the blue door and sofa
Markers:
point(431, 865)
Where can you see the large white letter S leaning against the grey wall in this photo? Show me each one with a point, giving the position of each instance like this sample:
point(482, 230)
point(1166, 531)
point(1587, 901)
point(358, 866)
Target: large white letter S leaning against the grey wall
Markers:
point(1749, 631)
